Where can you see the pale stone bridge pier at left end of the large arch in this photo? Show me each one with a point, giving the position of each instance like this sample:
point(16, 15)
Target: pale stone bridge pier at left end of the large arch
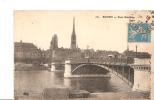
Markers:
point(68, 69)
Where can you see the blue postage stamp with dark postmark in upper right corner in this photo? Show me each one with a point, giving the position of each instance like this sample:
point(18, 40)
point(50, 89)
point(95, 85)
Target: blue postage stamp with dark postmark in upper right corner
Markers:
point(139, 32)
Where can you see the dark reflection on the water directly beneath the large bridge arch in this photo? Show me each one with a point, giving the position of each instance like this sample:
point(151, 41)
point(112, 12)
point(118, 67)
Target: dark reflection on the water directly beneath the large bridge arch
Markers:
point(89, 84)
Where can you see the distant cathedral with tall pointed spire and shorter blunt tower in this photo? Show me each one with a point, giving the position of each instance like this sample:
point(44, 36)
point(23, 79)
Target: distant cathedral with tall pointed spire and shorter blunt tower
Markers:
point(60, 54)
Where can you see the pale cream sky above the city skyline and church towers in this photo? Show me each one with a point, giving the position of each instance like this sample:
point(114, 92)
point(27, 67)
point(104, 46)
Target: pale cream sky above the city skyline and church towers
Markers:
point(92, 29)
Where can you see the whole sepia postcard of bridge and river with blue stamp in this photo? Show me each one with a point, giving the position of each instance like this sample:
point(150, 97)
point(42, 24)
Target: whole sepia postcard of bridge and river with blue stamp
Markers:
point(82, 54)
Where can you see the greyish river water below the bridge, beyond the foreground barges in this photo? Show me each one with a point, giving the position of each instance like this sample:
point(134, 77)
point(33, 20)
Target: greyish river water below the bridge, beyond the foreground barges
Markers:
point(36, 81)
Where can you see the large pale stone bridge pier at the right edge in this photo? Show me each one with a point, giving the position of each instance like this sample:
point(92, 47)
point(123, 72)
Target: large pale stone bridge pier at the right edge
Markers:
point(141, 75)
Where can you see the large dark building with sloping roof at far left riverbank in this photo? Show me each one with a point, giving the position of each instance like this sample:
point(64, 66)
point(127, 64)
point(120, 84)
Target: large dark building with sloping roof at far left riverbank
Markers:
point(26, 52)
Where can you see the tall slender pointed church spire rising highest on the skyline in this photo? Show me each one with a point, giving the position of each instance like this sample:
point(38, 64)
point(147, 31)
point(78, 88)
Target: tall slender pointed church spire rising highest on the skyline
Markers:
point(73, 37)
